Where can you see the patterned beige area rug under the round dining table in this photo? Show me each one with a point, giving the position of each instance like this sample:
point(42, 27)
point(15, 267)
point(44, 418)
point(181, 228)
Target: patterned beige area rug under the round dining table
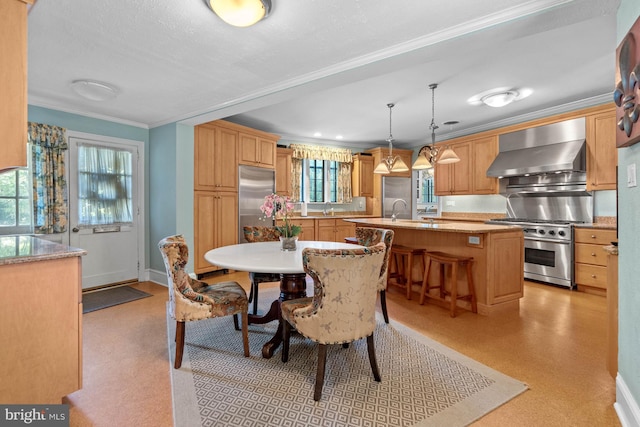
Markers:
point(423, 382)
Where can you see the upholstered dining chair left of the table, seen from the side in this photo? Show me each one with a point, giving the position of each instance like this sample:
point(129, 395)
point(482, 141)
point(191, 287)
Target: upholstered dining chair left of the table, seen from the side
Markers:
point(191, 299)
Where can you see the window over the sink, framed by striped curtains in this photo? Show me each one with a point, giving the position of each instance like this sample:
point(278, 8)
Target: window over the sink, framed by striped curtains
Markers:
point(319, 181)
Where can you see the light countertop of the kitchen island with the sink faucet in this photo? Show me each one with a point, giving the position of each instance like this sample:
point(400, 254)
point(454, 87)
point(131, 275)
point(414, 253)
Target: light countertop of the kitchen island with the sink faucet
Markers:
point(452, 227)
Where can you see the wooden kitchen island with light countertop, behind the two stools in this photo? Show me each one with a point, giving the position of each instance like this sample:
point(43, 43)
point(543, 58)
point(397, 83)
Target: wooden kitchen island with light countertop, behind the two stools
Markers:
point(497, 250)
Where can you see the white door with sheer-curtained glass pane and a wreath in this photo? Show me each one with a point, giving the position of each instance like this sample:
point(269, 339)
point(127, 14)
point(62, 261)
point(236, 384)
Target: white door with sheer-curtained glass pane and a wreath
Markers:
point(103, 209)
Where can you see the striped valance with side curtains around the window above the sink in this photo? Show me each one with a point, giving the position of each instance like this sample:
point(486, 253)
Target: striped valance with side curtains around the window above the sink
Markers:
point(342, 156)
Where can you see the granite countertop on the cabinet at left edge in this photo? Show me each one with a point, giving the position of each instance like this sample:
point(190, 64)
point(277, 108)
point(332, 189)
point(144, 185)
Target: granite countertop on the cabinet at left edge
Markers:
point(22, 249)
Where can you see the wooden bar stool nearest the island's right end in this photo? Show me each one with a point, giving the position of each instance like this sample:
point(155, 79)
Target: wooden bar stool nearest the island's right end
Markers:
point(453, 261)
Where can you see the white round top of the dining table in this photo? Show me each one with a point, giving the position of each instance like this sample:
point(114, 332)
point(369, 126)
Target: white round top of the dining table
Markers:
point(267, 257)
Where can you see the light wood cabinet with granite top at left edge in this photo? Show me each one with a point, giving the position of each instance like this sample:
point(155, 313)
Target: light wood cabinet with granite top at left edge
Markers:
point(41, 317)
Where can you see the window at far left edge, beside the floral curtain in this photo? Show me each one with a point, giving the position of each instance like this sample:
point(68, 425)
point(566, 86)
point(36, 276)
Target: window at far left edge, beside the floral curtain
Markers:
point(15, 202)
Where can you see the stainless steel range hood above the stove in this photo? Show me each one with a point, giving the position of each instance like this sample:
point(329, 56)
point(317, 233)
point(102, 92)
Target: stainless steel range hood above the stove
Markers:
point(558, 147)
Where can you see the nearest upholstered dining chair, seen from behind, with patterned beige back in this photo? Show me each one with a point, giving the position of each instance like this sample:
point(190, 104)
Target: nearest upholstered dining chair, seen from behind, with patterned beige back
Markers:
point(343, 306)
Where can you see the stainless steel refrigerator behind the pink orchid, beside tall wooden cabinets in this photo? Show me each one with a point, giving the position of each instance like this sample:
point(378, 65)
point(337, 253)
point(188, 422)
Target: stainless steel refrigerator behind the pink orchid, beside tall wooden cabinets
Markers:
point(254, 184)
